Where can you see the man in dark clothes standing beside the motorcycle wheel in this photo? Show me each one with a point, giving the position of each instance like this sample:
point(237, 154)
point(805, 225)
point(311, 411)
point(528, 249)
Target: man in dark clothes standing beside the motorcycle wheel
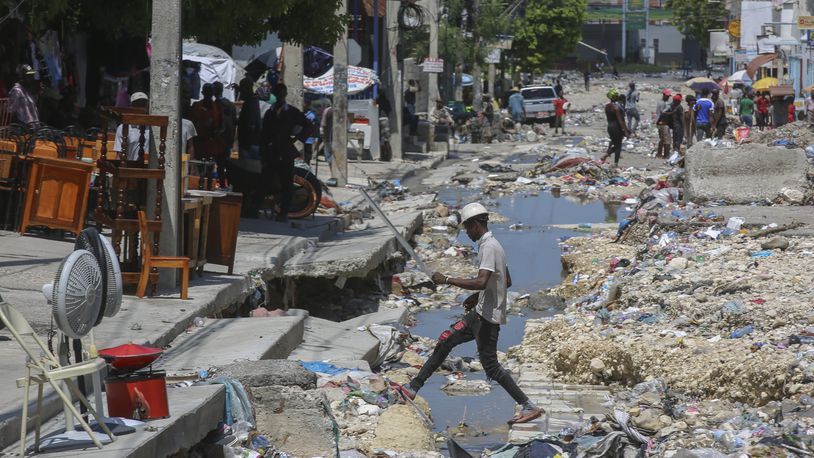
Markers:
point(282, 125)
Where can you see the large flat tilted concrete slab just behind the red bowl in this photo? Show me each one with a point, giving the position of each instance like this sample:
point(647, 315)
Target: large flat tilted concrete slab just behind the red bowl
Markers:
point(222, 342)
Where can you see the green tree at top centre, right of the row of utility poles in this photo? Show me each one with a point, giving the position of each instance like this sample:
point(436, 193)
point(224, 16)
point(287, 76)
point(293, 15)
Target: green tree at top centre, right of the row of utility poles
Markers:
point(548, 31)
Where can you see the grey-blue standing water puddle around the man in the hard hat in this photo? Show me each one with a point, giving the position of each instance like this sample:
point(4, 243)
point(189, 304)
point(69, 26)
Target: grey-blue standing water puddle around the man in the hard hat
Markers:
point(533, 254)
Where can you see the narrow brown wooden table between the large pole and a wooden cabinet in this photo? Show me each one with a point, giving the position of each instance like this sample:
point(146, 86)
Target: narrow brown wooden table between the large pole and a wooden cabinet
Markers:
point(195, 229)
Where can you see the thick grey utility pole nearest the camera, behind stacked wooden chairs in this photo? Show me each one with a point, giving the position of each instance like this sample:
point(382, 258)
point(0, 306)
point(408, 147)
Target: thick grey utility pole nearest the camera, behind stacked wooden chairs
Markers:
point(165, 100)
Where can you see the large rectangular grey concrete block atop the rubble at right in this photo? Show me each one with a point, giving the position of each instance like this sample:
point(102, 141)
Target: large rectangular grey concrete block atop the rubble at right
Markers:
point(743, 174)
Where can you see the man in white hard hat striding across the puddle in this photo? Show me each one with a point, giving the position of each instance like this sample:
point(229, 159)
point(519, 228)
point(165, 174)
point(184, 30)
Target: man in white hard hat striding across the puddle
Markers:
point(485, 312)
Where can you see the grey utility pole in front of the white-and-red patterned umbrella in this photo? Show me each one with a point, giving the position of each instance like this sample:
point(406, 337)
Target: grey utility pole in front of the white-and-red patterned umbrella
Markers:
point(339, 164)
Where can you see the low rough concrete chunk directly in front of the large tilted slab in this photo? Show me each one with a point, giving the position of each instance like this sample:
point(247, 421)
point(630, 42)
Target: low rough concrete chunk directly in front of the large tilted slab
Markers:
point(281, 372)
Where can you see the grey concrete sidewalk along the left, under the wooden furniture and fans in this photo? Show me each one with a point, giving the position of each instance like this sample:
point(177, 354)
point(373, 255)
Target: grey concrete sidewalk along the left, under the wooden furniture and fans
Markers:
point(264, 246)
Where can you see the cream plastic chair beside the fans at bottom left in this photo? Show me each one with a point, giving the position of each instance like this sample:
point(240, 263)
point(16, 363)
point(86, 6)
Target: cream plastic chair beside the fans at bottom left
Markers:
point(43, 367)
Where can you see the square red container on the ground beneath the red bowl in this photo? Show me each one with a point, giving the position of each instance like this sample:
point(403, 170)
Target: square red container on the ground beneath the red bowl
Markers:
point(139, 396)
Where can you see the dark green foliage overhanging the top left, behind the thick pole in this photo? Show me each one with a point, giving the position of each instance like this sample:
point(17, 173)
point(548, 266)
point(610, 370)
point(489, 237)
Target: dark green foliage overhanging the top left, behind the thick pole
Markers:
point(212, 21)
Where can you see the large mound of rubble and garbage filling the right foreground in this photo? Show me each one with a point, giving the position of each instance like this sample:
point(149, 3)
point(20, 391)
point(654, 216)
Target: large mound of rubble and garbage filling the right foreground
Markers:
point(701, 323)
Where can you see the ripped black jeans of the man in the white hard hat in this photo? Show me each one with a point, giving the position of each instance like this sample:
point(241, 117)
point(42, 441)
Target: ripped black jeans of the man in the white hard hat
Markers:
point(484, 333)
